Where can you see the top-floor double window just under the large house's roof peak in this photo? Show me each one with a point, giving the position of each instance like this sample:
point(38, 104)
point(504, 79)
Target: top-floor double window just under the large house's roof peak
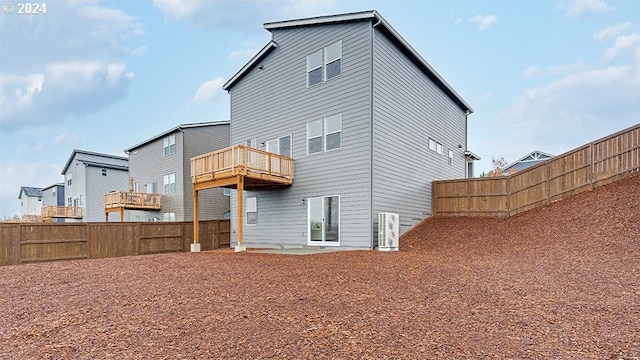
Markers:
point(324, 64)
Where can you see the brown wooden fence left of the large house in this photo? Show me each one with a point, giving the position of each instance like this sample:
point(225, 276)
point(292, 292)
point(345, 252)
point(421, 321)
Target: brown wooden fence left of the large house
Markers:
point(36, 242)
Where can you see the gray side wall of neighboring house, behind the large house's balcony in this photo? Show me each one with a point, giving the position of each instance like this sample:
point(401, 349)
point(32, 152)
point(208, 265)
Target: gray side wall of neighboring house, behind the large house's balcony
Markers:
point(213, 204)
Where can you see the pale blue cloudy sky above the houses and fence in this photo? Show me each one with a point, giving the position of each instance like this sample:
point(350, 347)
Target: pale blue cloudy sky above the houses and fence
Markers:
point(547, 75)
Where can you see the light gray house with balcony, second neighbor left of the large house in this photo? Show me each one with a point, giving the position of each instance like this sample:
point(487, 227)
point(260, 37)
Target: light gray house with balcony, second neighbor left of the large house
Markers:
point(88, 176)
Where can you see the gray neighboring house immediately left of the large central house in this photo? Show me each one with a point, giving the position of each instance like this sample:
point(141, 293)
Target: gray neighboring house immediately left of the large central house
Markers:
point(161, 165)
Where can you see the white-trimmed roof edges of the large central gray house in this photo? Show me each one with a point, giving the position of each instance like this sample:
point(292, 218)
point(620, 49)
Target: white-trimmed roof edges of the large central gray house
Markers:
point(379, 23)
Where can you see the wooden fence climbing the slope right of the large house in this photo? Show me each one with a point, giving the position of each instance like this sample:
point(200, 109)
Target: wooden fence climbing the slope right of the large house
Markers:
point(595, 164)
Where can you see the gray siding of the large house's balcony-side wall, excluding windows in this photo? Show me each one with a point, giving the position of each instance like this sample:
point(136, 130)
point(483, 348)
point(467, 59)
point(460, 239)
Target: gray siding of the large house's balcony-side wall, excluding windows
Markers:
point(275, 101)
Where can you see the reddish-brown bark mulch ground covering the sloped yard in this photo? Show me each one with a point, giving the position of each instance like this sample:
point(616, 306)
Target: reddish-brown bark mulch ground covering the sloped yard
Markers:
point(560, 282)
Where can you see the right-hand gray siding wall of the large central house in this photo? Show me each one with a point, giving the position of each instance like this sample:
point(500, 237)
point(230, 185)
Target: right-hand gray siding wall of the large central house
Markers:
point(408, 108)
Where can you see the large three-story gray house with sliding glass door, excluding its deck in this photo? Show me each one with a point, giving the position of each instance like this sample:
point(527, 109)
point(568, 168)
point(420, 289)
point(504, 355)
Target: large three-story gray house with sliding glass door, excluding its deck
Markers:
point(368, 122)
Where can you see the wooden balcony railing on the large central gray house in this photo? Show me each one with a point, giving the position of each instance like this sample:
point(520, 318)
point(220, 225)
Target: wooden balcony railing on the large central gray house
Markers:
point(259, 168)
